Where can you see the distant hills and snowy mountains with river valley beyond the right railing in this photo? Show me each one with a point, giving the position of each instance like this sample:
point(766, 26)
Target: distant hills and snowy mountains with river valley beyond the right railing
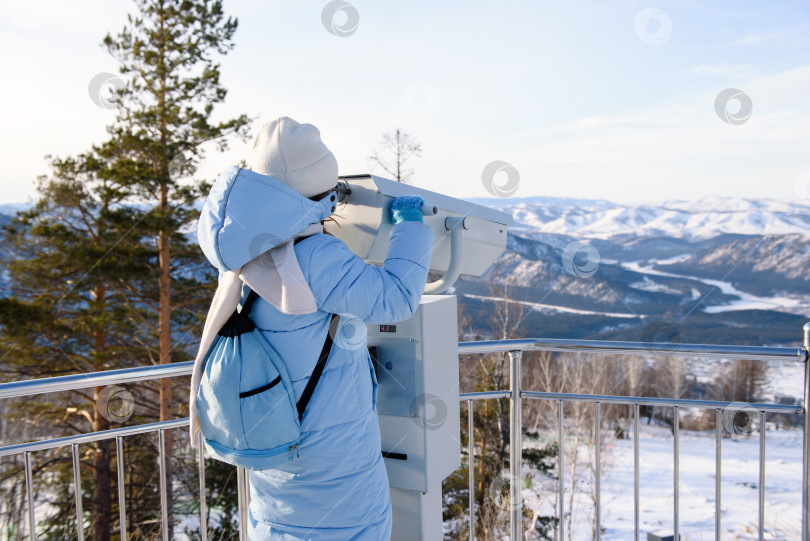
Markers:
point(719, 270)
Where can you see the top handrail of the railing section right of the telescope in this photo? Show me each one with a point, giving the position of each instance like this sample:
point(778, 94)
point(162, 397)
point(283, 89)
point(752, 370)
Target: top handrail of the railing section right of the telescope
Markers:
point(635, 348)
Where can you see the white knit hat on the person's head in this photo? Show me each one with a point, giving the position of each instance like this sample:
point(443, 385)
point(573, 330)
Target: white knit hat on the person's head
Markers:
point(294, 154)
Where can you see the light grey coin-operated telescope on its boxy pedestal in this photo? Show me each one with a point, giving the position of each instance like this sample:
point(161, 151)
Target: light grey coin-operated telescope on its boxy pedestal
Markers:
point(416, 361)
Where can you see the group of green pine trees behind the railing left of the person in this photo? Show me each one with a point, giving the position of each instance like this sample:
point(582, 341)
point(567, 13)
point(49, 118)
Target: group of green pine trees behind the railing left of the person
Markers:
point(103, 276)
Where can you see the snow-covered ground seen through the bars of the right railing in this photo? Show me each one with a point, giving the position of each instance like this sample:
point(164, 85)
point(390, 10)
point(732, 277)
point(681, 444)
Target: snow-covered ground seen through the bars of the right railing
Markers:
point(739, 487)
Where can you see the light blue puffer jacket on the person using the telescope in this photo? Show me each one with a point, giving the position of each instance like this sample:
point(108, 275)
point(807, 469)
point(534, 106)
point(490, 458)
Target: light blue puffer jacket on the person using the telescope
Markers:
point(338, 488)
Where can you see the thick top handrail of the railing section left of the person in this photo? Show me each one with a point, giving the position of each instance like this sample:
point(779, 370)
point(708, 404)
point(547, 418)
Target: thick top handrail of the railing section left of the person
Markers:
point(94, 379)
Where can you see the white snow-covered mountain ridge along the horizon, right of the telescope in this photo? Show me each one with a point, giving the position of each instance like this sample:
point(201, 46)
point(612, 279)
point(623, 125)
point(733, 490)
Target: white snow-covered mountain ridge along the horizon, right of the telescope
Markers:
point(698, 219)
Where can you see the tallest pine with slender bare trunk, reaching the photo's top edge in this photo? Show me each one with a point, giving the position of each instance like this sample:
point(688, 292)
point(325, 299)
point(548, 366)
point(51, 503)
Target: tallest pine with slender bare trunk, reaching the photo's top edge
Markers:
point(164, 116)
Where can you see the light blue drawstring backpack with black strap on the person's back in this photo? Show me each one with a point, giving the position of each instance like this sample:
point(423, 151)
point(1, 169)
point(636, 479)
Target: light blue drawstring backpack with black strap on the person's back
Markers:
point(245, 404)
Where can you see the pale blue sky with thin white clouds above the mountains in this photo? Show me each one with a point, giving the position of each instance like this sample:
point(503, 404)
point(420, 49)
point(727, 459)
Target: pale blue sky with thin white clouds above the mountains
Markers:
point(568, 92)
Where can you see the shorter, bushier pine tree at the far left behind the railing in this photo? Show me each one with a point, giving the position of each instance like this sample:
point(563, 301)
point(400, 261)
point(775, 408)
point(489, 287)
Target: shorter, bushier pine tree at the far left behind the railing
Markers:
point(69, 315)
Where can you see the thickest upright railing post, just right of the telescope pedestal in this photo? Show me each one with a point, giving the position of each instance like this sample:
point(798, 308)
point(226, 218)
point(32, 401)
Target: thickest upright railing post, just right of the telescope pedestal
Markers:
point(515, 448)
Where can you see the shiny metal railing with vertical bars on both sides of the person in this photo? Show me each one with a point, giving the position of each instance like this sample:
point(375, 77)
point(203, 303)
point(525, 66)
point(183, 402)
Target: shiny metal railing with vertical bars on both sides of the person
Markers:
point(515, 394)
